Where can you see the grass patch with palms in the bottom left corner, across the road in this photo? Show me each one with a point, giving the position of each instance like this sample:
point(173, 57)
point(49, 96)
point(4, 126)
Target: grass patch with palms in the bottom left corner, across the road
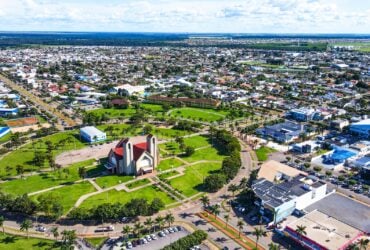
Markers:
point(14, 242)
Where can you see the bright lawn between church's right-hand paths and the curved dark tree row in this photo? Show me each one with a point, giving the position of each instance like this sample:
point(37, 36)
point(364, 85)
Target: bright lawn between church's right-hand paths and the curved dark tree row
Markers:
point(191, 182)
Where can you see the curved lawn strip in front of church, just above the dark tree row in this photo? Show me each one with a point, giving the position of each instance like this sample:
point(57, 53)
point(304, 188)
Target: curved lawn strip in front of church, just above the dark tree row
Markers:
point(114, 196)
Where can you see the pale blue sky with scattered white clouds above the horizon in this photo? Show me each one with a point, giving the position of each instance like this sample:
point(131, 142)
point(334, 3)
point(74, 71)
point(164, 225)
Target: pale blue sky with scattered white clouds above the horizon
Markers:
point(240, 16)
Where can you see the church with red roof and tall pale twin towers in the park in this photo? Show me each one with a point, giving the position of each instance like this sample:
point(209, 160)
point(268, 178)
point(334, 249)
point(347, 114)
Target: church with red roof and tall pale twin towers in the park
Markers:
point(134, 156)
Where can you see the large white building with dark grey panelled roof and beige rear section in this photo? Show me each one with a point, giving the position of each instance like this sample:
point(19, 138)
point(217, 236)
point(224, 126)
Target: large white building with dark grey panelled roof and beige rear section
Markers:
point(285, 190)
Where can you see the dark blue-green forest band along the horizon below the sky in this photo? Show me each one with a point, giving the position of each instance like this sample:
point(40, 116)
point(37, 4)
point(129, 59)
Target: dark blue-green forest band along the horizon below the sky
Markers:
point(12, 39)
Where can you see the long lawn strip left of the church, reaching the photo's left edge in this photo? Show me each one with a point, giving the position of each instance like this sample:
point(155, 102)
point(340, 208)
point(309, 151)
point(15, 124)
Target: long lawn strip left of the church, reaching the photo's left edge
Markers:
point(42, 181)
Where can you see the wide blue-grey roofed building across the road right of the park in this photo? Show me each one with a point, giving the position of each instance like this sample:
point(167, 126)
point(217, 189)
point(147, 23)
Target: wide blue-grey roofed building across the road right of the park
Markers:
point(282, 132)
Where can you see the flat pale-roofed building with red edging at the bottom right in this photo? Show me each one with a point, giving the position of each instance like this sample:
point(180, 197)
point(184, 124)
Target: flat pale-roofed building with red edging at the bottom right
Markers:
point(322, 232)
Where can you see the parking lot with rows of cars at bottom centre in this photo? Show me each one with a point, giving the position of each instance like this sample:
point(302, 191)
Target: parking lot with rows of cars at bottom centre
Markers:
point(153, 241)
